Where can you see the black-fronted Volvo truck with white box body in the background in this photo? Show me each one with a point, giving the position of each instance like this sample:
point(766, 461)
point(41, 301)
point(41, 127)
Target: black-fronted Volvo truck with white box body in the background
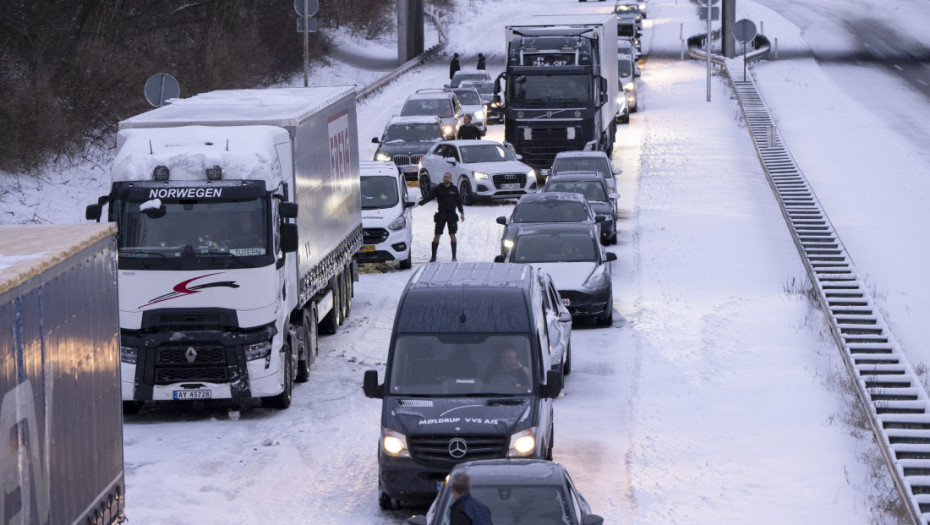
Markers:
point(560, 85)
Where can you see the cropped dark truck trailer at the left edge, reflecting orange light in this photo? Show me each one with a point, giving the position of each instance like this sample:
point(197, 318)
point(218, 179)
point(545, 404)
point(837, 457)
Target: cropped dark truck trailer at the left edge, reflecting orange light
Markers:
point(60, 422)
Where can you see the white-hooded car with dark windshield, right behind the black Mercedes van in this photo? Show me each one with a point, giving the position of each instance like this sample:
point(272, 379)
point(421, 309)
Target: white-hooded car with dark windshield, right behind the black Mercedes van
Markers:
point(579, 266)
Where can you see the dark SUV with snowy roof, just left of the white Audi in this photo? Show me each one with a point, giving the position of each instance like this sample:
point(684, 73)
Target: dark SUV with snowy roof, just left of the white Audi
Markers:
point(406, 139)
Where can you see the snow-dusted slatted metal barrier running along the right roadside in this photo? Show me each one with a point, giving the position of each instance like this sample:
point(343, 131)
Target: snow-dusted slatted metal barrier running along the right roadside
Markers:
point(891, 392)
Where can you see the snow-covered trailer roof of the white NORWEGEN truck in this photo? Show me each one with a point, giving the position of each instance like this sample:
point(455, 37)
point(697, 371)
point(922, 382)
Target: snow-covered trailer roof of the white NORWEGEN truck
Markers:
point(277, 107)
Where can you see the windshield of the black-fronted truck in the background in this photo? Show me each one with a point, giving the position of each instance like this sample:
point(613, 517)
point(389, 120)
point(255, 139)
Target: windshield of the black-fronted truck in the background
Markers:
point(550, 90)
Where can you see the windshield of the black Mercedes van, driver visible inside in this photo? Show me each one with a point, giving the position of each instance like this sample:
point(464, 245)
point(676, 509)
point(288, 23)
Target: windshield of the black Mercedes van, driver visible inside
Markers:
point(462, 365)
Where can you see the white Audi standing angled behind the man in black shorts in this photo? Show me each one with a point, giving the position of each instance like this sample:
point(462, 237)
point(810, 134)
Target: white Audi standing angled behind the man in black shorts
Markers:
point(481, 169)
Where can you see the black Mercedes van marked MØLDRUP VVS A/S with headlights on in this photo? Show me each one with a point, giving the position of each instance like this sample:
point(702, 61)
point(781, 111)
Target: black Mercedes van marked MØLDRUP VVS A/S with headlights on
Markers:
point(467, 376)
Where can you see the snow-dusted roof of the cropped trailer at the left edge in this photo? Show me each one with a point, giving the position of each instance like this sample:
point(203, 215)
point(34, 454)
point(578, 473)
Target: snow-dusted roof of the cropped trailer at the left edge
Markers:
point(27, 251)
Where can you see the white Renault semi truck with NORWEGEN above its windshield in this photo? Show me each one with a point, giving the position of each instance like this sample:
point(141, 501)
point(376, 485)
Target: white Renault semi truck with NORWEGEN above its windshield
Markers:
point(238, 213)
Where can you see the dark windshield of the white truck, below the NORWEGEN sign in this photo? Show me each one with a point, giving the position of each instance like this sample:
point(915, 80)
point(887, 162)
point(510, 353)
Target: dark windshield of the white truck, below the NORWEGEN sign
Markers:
point(194, 229)
